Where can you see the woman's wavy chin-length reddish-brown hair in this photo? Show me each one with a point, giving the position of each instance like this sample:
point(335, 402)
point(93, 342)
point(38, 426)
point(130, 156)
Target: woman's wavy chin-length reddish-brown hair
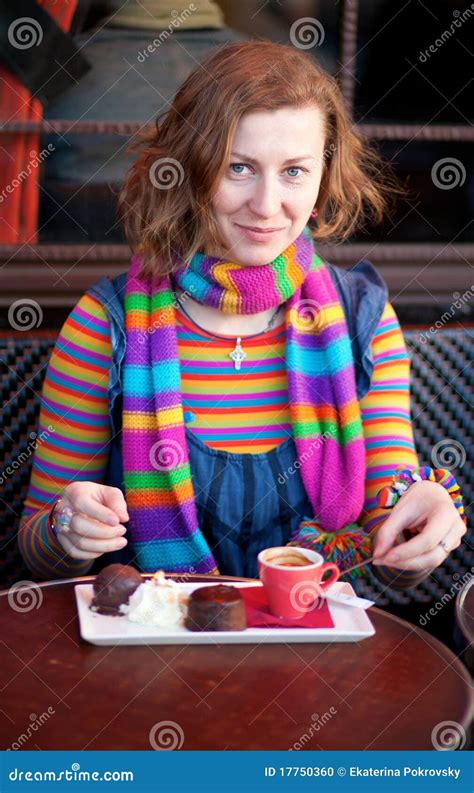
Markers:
point(190, 148)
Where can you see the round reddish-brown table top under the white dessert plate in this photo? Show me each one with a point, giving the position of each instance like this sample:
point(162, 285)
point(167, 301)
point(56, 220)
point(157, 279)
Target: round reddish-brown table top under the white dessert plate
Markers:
point(394, 690)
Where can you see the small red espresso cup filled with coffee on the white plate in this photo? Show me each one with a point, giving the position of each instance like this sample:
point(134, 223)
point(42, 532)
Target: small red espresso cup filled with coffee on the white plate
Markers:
point(293, 579)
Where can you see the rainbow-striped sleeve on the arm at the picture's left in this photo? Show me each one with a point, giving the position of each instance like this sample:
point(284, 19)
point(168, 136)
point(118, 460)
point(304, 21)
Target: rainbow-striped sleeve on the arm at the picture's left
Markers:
point(73, 434)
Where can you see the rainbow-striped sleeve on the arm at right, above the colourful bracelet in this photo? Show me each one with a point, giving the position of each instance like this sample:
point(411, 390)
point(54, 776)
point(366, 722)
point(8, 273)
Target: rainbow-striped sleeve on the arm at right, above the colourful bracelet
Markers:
point(388, 433)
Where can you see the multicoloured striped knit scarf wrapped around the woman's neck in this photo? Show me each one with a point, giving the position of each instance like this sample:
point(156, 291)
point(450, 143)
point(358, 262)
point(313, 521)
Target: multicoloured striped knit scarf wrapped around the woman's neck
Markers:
point(325, 413)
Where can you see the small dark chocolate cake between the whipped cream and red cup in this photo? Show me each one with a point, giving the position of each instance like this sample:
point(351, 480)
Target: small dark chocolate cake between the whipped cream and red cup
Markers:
point(216, 608)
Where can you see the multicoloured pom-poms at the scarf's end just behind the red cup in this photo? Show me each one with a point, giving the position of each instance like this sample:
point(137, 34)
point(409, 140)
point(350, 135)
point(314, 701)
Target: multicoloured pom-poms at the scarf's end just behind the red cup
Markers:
point(345, 547)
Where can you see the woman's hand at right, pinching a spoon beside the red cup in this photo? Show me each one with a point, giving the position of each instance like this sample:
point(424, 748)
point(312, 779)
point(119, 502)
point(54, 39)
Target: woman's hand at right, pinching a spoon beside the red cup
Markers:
point(427, 508)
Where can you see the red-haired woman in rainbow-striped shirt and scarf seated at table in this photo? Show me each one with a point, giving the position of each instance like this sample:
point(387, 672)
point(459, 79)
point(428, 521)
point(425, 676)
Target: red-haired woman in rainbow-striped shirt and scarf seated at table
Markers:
point(232, 391)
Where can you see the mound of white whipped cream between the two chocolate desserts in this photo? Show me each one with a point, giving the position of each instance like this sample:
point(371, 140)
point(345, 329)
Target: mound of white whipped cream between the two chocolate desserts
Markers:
point(156, 602)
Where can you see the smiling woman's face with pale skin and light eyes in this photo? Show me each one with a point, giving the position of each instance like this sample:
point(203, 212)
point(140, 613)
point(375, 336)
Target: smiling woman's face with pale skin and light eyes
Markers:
point(271, 182)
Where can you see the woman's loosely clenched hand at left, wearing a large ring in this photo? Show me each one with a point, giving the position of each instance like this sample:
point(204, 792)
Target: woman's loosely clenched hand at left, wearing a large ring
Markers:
point(95, 526)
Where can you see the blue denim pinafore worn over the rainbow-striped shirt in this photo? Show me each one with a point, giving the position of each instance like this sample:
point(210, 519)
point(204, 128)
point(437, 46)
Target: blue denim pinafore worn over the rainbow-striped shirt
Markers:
point(244, 502)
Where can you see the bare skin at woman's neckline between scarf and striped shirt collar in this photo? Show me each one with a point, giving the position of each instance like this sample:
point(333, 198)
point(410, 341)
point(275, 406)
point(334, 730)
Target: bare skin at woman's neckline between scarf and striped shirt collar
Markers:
point(216, 321)
